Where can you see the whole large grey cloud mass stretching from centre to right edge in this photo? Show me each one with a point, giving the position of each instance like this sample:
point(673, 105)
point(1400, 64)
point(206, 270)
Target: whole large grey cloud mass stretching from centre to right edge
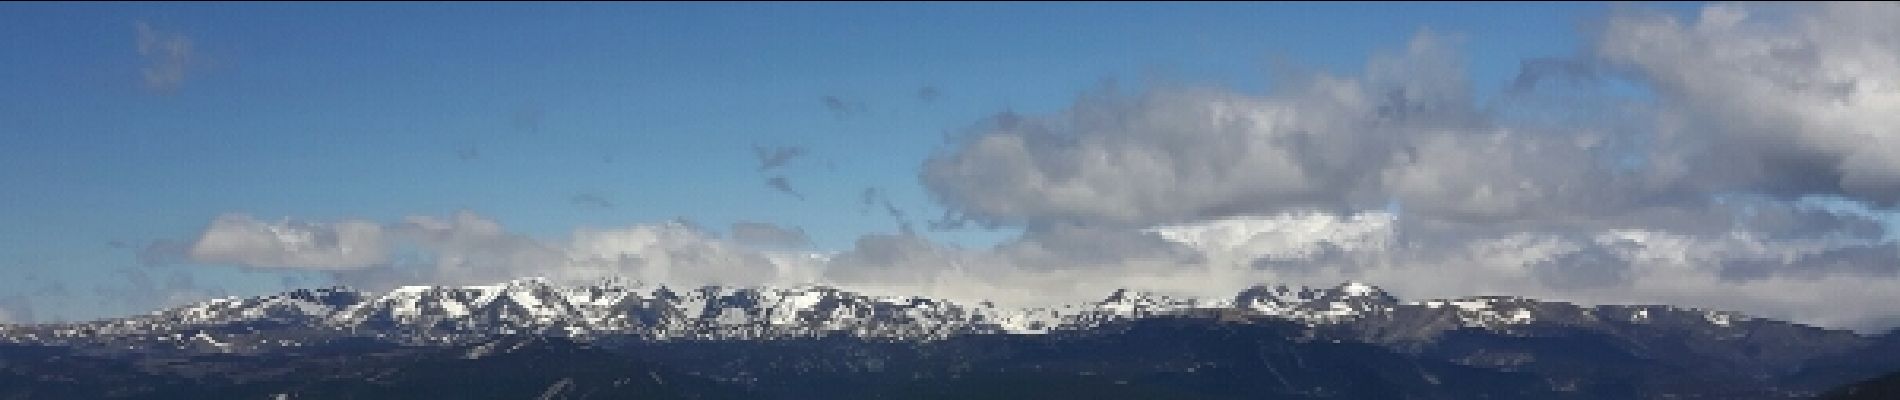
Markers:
point(1747, 115)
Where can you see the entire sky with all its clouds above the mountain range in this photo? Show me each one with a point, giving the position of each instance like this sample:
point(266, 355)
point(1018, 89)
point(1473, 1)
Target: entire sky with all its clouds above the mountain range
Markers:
point(1698, 155)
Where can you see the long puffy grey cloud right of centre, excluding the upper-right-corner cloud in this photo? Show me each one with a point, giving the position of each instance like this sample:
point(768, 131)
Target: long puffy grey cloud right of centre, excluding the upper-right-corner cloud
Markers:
point(1181, 155)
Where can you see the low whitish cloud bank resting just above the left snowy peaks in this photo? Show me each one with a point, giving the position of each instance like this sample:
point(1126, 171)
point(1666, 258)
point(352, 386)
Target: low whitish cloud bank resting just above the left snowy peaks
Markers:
point(470, 249)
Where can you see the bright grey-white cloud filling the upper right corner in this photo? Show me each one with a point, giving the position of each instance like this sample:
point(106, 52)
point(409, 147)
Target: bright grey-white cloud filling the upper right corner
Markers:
point(1804, 101)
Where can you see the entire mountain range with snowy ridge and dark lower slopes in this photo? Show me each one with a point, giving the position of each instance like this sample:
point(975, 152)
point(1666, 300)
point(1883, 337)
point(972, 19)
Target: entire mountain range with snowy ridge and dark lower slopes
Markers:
point(617, 340)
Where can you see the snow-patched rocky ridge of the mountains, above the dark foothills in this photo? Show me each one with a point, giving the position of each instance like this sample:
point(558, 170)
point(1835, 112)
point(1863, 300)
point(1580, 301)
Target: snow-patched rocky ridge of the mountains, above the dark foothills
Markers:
point(632, 310)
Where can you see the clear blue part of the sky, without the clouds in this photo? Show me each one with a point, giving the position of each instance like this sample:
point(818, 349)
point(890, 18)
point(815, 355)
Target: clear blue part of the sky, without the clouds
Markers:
point(510, 111)
